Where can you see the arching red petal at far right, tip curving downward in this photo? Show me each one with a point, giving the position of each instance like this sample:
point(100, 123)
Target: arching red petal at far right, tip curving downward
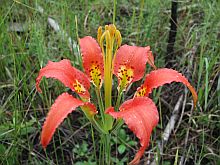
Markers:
point(163, 76)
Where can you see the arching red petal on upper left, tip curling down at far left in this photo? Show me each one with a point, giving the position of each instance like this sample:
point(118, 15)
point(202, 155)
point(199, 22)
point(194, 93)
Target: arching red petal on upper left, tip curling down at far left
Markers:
point(64, 72)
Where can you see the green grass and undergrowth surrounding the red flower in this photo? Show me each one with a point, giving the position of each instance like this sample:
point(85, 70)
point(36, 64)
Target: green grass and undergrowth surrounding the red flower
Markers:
point(22, 54)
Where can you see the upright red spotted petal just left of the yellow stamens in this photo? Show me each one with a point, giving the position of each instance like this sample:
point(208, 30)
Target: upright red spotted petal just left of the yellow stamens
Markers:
point(92, 59)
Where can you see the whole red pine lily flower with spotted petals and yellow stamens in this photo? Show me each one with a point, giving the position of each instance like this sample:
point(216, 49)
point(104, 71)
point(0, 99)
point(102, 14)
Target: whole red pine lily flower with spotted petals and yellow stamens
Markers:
point(102, 60)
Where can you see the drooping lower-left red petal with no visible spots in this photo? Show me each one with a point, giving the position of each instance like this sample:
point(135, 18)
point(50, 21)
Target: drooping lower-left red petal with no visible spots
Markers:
point(63, 105)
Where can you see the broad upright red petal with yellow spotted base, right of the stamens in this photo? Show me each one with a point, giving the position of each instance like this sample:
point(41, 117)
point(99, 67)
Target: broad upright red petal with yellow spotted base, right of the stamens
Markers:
point(129, 64)
